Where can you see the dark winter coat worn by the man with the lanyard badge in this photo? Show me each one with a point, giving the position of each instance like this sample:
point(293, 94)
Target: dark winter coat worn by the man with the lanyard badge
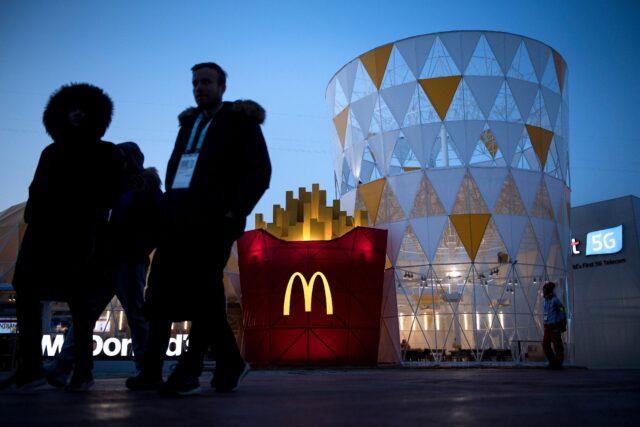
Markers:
point(232, 173)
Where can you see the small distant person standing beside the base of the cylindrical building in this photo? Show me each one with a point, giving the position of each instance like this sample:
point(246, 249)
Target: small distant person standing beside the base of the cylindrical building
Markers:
point(555, 323)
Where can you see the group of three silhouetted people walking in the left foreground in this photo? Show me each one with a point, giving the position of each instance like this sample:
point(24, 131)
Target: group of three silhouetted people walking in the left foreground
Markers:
point(119, 217)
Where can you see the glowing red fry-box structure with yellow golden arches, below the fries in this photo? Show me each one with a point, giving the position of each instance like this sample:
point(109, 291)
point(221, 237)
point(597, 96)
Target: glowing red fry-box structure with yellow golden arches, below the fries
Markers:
point(345, 274)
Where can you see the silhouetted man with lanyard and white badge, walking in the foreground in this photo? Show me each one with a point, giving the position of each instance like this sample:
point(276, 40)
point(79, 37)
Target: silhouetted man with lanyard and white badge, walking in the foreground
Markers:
point(217, 172)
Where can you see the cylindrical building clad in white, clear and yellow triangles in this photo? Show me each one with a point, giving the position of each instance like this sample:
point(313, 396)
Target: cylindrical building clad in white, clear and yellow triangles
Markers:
point(457, 143)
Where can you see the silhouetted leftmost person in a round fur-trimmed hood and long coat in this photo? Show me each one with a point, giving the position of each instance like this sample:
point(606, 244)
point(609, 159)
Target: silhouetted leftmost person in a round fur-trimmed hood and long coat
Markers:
point(78, 180)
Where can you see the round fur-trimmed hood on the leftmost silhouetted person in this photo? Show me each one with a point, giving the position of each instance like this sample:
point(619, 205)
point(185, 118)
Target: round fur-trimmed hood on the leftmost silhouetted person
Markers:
point(95, 103)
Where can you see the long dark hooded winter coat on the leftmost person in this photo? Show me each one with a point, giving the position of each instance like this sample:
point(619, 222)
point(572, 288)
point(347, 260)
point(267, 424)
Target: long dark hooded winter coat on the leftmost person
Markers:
point(77, 181)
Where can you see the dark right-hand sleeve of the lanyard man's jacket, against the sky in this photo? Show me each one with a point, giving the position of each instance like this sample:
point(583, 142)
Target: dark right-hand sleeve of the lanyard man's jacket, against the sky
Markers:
point(254, 181)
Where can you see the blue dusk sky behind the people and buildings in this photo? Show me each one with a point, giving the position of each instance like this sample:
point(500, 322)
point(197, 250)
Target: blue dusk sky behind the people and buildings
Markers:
point(283, 54)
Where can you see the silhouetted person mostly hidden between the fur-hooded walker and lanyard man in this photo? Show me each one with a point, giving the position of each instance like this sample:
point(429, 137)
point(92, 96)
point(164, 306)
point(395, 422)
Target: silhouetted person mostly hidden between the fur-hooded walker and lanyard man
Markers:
point(132, 236)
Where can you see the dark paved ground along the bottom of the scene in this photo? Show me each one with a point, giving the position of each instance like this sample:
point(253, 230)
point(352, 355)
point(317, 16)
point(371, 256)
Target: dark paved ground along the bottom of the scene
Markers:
point(371, 397)
